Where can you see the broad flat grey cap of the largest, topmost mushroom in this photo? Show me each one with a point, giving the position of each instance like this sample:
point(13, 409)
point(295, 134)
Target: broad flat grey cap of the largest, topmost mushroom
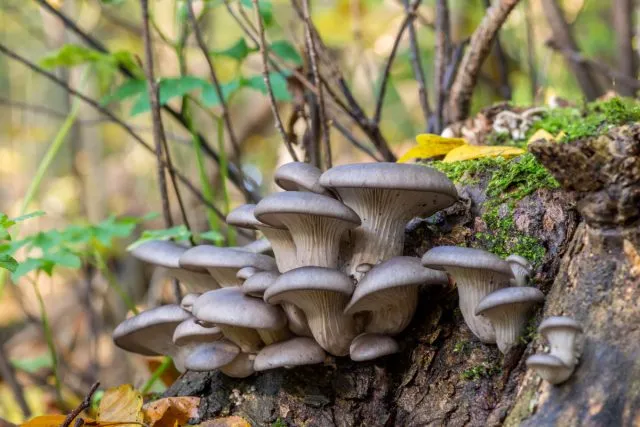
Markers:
point(391, 176)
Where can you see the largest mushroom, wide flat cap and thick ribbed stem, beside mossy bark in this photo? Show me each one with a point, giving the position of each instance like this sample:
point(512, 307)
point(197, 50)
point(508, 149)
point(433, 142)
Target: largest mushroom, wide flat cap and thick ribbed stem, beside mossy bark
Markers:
point(386, 196)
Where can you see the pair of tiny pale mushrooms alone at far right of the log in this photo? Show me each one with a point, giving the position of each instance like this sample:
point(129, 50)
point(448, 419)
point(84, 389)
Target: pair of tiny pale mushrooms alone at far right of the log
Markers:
point(562, 334)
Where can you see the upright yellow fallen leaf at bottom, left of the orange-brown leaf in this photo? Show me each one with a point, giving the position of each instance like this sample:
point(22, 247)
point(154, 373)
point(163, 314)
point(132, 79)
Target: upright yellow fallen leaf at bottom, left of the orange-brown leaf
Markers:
point(122, 405)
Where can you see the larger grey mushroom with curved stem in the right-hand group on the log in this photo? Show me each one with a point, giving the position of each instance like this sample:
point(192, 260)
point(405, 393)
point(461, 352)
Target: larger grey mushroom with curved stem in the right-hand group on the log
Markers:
point(477, 273)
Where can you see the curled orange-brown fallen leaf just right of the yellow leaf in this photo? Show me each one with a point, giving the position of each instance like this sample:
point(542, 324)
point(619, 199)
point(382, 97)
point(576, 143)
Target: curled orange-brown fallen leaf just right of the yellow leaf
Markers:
point(171, 411)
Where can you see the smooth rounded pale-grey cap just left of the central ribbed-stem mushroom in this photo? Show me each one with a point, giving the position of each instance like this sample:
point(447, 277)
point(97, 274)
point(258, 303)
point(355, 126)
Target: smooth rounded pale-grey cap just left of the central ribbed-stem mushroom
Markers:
point(229, 306)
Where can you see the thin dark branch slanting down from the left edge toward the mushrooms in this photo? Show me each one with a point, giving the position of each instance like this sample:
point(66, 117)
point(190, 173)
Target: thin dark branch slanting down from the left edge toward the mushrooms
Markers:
point(52, 77)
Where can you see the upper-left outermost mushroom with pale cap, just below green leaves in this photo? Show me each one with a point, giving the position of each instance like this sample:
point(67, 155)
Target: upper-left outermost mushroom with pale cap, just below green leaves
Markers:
point(167, 254)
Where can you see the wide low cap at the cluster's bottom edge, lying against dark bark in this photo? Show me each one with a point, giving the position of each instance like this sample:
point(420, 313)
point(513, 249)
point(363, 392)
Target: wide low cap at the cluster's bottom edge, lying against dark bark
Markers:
point(294, 352)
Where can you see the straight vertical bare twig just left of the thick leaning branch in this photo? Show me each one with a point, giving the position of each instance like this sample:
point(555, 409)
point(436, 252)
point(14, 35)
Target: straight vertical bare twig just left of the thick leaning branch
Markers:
point(442, 47)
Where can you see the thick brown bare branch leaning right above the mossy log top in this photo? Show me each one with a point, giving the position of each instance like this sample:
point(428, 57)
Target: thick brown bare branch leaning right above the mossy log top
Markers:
point(480, 46)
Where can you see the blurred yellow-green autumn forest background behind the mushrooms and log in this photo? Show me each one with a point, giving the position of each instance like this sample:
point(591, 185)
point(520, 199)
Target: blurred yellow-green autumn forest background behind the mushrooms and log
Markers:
point(97, 185)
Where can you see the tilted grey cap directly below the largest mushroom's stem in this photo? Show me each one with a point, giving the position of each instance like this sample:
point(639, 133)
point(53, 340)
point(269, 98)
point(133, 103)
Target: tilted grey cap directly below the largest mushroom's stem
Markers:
point(395, 272)
